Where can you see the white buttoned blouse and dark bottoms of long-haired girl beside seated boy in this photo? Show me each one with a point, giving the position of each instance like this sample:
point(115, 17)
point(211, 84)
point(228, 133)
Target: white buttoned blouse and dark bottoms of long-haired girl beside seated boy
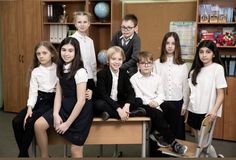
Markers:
point(176, 90)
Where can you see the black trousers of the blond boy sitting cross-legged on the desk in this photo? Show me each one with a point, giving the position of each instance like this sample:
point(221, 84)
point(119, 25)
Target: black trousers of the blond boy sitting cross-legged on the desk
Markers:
point(102, 106)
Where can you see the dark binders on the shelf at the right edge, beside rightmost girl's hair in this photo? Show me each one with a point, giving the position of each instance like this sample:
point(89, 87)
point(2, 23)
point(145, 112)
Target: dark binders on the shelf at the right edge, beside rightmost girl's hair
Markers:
point(229, 62)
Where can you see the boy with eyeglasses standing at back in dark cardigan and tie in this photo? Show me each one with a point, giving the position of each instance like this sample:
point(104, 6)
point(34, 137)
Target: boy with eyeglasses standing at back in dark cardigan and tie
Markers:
point(128, 39)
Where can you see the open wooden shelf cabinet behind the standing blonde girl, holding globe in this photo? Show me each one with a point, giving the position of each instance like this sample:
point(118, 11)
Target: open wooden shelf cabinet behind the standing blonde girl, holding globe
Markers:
point(100, 31)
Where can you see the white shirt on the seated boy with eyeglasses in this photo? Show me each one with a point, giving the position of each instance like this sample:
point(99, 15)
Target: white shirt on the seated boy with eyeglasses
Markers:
point(148, 88)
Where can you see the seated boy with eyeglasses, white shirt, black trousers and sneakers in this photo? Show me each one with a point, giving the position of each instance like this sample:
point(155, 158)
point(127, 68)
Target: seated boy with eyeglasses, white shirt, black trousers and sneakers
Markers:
point(148, 86)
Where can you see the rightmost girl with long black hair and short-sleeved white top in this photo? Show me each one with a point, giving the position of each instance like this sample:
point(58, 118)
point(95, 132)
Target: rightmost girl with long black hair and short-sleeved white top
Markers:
point(207, 83)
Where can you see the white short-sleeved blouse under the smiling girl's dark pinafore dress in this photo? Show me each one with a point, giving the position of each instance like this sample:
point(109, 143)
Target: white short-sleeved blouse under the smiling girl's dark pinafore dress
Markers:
point(80, 76)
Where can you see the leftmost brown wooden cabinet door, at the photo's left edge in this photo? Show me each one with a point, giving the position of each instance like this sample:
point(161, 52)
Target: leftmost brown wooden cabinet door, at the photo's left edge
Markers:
point(12, 57)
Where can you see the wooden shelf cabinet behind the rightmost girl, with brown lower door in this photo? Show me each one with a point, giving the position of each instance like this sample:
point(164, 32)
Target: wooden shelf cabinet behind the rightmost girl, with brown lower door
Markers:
point(210, 26)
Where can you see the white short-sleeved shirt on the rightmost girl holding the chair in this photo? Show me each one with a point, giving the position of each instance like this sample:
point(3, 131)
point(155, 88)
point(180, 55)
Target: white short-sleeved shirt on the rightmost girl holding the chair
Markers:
point(203, 95)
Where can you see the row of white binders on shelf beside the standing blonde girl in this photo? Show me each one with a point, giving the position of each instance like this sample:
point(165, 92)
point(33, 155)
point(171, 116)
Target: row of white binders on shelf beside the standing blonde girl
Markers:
point(58, 33)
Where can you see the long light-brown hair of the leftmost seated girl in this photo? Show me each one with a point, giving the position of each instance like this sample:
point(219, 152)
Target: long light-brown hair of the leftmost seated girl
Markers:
point(35, 62)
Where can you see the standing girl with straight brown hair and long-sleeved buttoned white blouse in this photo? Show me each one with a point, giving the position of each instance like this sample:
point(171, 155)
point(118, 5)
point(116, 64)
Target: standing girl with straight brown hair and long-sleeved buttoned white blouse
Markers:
point(174, 73)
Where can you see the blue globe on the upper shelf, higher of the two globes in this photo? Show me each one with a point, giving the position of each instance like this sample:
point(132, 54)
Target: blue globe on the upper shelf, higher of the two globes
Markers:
point(102, 10)
